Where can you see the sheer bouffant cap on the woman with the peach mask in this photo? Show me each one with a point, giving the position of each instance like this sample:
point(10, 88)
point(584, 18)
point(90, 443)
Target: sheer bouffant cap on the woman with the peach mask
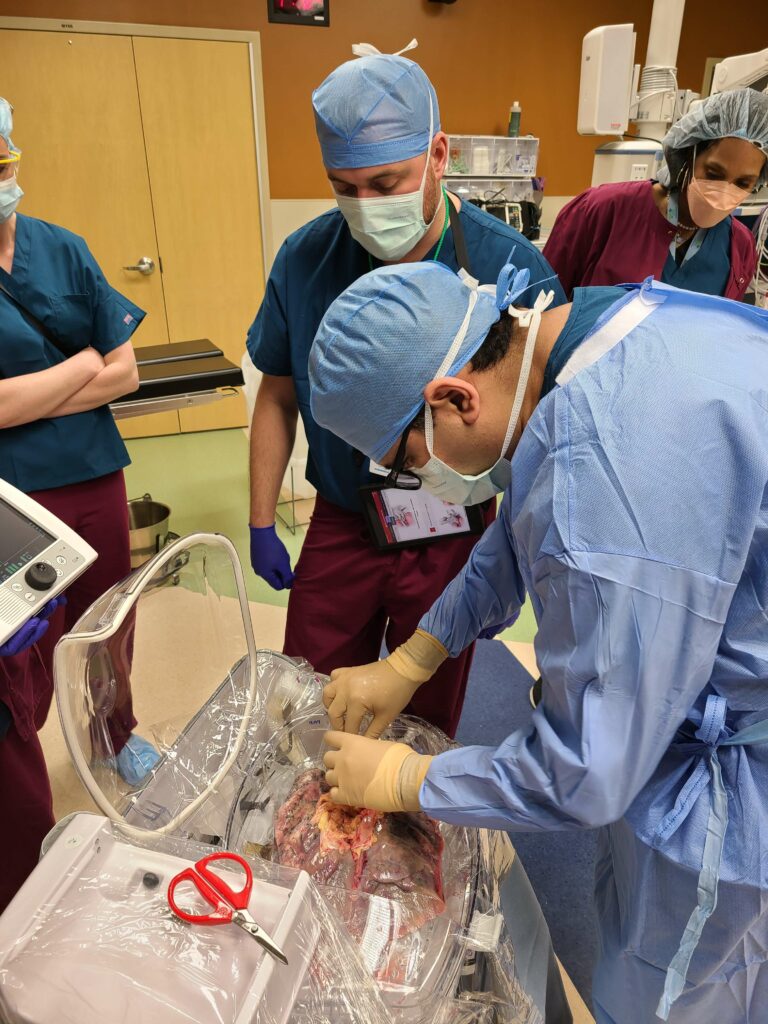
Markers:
point(737, 114)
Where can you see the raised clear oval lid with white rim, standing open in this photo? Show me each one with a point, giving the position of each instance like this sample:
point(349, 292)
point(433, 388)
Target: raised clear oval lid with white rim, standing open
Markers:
point(182, 625)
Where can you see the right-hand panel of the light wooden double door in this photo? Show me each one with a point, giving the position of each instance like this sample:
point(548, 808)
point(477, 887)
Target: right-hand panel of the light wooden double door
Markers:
point(196, 99)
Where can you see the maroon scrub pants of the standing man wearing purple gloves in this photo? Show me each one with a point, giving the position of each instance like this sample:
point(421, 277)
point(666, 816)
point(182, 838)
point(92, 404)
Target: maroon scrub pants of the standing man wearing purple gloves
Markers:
point(348, 598)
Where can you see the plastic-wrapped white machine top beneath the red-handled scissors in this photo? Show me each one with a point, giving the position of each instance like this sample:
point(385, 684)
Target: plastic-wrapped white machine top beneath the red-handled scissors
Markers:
point(104, 946)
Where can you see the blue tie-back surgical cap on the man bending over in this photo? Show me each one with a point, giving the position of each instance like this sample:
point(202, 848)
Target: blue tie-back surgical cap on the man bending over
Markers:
point(387, 337)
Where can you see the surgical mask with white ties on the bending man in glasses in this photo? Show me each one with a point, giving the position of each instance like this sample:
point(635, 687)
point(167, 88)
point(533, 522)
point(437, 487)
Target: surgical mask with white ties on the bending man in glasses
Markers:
point(461, 489)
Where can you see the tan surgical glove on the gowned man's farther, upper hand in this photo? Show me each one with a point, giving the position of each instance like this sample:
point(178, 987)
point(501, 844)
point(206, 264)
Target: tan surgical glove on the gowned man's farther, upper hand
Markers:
point(382, 689)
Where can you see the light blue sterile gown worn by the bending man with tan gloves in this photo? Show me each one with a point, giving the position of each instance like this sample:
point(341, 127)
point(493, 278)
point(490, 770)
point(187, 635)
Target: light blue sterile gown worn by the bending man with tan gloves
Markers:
point(637, 523)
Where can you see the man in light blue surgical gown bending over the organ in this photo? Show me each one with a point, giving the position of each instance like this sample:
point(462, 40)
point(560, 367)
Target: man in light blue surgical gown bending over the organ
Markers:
point(635, 517)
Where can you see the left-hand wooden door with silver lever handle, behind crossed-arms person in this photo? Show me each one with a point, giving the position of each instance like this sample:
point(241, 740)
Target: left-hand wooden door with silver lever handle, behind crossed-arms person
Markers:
point(78, 122)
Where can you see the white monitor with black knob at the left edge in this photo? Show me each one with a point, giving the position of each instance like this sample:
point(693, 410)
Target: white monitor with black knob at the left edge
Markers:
point(40, 557)
